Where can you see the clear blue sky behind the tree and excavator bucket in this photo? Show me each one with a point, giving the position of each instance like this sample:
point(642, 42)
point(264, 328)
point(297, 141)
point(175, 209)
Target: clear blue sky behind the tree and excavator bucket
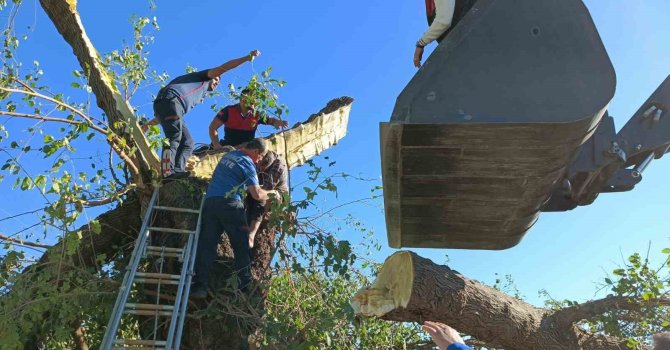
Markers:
point(364, 50)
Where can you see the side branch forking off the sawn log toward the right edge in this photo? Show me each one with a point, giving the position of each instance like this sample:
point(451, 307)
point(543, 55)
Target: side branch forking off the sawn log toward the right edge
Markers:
point(593, 308)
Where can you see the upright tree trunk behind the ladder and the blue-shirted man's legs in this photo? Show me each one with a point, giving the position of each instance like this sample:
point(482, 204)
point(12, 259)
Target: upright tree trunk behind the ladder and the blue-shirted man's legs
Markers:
point(237, 316)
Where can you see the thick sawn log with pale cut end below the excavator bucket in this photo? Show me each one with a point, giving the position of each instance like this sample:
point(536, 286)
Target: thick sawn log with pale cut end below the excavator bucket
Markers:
point(410, 288)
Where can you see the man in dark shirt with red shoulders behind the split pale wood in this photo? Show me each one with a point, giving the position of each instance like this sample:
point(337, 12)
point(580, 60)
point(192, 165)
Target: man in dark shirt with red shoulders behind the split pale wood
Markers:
point(241, 122)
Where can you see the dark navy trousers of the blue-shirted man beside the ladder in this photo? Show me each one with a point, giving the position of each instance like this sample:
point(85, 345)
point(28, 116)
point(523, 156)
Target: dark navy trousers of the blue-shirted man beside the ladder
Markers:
point(221, 214)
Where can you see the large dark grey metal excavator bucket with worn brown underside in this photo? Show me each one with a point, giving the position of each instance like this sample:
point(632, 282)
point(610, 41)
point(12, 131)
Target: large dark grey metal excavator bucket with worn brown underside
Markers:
point(483, 133)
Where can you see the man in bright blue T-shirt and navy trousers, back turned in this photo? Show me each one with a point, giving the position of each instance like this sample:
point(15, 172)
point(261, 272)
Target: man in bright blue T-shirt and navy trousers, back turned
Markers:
point(233, 178)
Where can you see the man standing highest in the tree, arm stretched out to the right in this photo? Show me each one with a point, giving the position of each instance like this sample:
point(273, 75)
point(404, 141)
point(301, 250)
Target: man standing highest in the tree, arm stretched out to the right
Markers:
point(178, 98)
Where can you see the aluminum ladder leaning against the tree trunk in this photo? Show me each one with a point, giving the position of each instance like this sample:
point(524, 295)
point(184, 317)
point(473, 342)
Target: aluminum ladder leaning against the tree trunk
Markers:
point(176, 312)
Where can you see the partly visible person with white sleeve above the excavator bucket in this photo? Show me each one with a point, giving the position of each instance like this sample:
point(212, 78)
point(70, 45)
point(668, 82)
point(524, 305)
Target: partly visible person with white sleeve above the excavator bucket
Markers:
point(442, 15)
